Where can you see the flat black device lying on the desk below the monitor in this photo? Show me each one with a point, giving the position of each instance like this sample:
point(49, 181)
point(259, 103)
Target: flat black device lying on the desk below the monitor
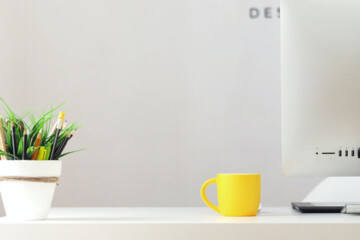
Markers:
point(307, 207)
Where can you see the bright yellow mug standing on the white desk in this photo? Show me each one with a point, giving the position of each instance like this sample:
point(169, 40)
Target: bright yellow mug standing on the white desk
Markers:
point(238, 194)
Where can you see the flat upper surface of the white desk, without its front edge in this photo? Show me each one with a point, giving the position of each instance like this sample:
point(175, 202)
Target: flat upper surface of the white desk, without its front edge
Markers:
point(188, 215)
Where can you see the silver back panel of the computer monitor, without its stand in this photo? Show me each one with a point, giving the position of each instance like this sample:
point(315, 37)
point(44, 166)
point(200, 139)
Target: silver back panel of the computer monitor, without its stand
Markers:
point(320, 87)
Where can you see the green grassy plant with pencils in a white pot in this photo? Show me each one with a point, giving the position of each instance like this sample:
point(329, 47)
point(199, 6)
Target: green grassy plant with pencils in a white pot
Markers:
point(30, 167)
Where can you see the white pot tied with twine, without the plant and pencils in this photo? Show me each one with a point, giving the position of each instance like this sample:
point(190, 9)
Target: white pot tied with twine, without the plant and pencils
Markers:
point(28, 200)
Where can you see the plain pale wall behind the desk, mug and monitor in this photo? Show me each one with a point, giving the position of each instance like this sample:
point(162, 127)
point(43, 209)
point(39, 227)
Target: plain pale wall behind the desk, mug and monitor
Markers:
point(170, 93)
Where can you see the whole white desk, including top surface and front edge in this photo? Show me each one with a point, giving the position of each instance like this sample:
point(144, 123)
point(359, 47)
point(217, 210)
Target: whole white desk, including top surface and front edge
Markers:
point(180, 223)
